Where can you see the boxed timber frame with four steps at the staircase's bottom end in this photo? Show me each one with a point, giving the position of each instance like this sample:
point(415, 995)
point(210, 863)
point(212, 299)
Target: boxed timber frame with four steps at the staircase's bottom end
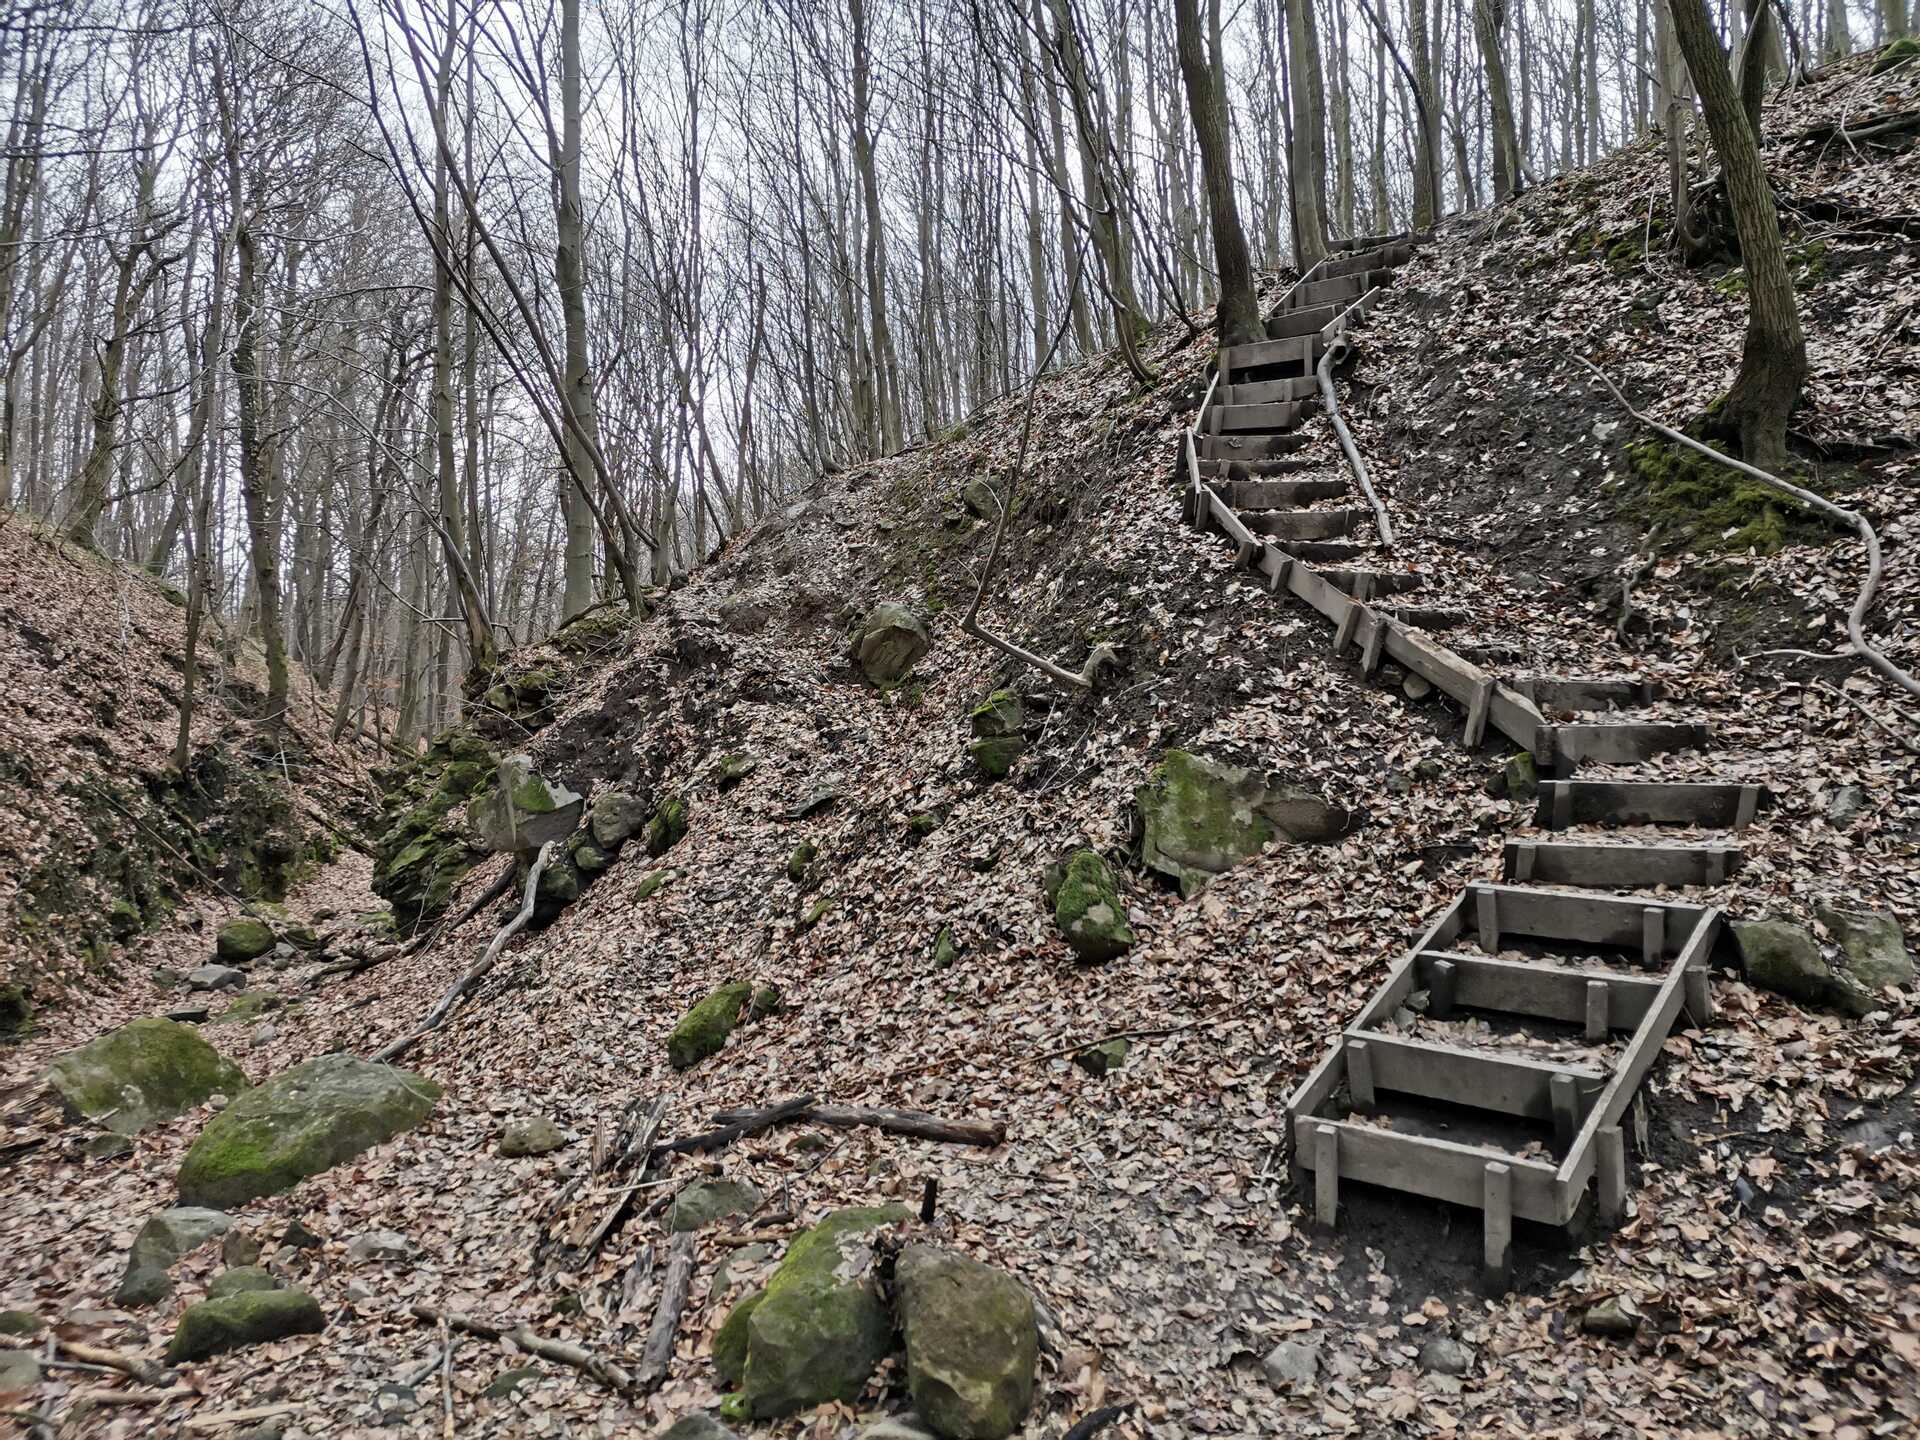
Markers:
point(1585, 1105)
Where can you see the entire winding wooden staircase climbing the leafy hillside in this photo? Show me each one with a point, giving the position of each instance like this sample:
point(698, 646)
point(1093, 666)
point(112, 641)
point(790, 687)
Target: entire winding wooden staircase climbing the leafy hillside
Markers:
point(1497, 1061)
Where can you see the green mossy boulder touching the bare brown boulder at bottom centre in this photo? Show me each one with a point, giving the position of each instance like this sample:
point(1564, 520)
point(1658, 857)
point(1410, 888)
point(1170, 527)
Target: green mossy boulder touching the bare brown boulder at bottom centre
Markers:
point(821, 1326)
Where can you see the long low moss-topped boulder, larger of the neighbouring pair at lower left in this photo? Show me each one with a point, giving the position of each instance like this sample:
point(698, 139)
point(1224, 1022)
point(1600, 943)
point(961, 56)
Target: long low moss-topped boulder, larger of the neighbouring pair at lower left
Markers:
point(300, 1124)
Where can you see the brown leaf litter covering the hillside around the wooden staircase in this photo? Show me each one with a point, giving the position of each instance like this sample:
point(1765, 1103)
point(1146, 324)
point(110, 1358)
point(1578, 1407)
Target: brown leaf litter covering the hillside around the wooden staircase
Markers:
point(1771, 1247)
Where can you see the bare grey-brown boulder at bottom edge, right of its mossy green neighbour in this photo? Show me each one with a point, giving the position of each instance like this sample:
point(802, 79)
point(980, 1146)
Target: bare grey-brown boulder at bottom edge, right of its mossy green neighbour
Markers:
point(972, 1343)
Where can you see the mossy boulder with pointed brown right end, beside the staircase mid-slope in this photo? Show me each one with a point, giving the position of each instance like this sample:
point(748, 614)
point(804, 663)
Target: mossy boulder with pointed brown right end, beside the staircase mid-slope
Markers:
point(1201, 819)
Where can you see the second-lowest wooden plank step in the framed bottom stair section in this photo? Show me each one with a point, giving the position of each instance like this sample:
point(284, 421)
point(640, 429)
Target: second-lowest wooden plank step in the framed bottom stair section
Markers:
point(1452, 1074)
